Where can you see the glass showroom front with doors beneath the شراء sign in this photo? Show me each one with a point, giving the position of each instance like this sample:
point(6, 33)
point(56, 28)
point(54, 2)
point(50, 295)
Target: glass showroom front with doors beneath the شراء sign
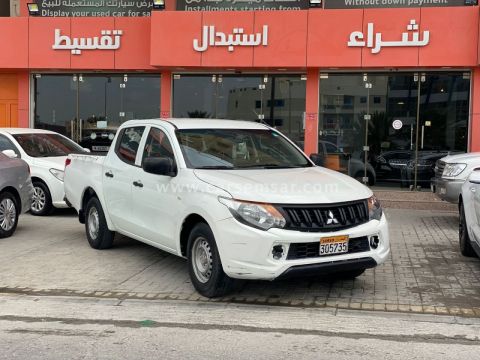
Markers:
point(390, 129)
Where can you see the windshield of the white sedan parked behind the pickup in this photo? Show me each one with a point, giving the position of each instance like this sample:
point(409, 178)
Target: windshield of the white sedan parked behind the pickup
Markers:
point(46, 145)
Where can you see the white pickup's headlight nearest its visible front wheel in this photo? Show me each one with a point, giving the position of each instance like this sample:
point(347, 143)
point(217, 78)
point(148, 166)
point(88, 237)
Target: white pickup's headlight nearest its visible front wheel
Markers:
point(258, 215)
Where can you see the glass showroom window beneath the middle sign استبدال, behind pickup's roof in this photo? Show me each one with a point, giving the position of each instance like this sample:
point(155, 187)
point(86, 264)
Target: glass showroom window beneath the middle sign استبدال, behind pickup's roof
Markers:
point(277, 100)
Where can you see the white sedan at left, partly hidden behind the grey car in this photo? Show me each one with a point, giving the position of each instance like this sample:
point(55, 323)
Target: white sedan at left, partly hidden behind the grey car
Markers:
point(45, 152)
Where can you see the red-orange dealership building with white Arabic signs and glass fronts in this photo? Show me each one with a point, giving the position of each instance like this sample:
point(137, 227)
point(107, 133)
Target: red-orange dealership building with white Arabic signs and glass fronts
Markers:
point(389, 81)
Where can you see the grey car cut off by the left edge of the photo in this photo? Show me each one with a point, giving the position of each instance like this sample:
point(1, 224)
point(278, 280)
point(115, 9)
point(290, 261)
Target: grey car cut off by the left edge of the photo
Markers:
point(16, 191)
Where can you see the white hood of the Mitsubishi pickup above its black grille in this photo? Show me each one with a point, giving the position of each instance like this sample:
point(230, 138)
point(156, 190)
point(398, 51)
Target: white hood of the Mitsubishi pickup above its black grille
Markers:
point(314, 185)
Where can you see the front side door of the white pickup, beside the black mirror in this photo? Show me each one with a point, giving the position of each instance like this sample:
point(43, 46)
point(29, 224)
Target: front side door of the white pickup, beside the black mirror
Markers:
point(156, 197)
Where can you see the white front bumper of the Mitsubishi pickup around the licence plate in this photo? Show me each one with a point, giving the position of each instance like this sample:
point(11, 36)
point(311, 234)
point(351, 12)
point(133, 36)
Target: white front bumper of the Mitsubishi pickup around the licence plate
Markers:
point(246, 252)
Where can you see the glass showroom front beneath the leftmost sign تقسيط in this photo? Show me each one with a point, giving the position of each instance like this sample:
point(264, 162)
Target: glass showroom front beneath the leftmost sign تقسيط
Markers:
point(88, 108)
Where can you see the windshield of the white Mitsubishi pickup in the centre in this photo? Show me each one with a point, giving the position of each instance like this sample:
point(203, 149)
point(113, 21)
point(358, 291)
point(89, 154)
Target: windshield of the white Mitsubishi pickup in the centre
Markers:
point(238, 149)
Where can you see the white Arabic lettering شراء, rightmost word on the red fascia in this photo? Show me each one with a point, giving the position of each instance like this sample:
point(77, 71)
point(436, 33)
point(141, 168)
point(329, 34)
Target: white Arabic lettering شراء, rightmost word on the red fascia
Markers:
point(375, 42)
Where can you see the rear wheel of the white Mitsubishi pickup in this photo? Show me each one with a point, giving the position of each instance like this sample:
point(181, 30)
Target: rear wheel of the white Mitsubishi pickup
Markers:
point(98, 235)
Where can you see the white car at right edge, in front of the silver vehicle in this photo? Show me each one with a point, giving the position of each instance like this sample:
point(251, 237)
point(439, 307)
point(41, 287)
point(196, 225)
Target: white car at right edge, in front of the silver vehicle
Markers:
point(469, 209)
